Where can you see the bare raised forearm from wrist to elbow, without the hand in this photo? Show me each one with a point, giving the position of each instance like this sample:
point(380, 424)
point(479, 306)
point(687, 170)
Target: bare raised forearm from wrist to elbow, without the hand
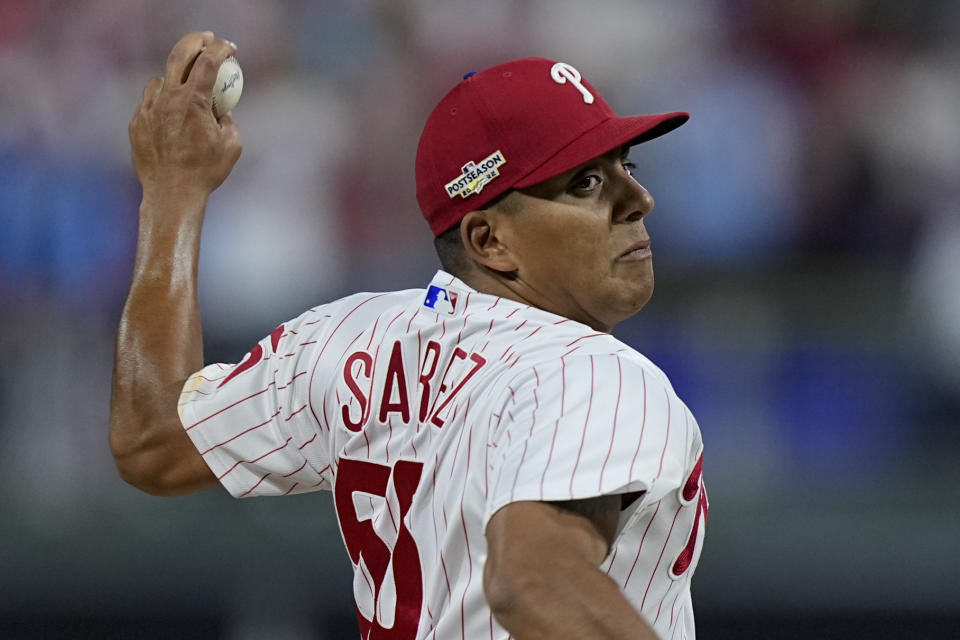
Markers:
point(159, 344)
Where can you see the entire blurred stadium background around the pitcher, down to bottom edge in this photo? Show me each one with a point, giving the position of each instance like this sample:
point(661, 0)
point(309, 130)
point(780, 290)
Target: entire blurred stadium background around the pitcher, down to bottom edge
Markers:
point(807, 308)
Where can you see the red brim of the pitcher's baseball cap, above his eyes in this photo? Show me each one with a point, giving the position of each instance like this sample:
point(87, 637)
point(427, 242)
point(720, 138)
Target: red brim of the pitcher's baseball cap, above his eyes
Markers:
point(601, 139)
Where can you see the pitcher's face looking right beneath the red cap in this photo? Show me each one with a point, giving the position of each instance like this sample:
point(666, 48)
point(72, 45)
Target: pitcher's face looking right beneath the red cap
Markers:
point(580, 243)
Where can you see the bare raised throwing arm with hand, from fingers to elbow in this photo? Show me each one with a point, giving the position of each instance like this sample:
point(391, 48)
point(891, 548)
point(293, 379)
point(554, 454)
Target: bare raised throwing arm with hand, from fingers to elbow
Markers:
point(181, 153)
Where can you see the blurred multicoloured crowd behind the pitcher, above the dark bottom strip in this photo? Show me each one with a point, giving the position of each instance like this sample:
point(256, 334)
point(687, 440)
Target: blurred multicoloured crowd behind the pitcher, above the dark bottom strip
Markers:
point(806, 226)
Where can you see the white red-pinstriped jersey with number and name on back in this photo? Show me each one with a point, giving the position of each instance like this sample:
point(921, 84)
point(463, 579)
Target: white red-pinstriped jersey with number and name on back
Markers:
point(425, 411)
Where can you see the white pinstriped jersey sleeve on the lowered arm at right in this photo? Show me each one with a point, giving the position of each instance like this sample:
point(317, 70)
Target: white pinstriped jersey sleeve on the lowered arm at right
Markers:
point(586, 426)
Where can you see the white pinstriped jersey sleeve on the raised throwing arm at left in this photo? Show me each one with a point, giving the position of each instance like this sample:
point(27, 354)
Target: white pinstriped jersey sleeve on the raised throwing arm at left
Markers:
point(252, 421)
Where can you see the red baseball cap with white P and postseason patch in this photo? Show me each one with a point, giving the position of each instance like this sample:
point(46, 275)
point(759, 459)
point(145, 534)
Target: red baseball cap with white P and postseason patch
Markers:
point(512, 126)
